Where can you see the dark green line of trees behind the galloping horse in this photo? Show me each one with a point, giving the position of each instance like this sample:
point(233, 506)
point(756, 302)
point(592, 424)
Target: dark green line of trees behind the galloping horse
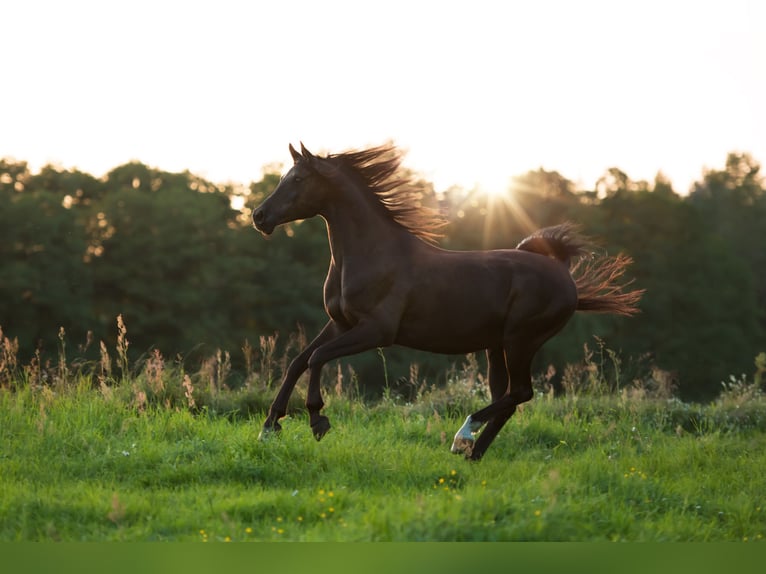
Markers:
point(171, 254)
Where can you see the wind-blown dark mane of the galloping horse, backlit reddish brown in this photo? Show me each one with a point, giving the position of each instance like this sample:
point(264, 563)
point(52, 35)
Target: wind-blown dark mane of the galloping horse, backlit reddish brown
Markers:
point(379, 170)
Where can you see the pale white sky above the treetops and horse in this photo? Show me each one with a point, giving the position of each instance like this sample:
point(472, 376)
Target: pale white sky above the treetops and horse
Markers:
point(475, 92)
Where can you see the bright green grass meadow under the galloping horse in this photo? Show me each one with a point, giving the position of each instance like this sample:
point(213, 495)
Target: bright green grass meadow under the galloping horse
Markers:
point(79, 463)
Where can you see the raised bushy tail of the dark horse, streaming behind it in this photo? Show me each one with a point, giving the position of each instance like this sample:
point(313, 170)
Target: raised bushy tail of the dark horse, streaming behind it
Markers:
point(596, 276)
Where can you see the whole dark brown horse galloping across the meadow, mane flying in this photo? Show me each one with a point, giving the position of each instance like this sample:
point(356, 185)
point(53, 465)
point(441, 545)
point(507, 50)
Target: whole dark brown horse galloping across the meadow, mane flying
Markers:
point(389, 284)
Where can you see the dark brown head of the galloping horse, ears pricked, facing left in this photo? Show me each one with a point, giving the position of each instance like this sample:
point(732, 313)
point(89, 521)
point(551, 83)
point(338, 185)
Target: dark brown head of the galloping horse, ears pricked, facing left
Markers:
point(301, 193)
